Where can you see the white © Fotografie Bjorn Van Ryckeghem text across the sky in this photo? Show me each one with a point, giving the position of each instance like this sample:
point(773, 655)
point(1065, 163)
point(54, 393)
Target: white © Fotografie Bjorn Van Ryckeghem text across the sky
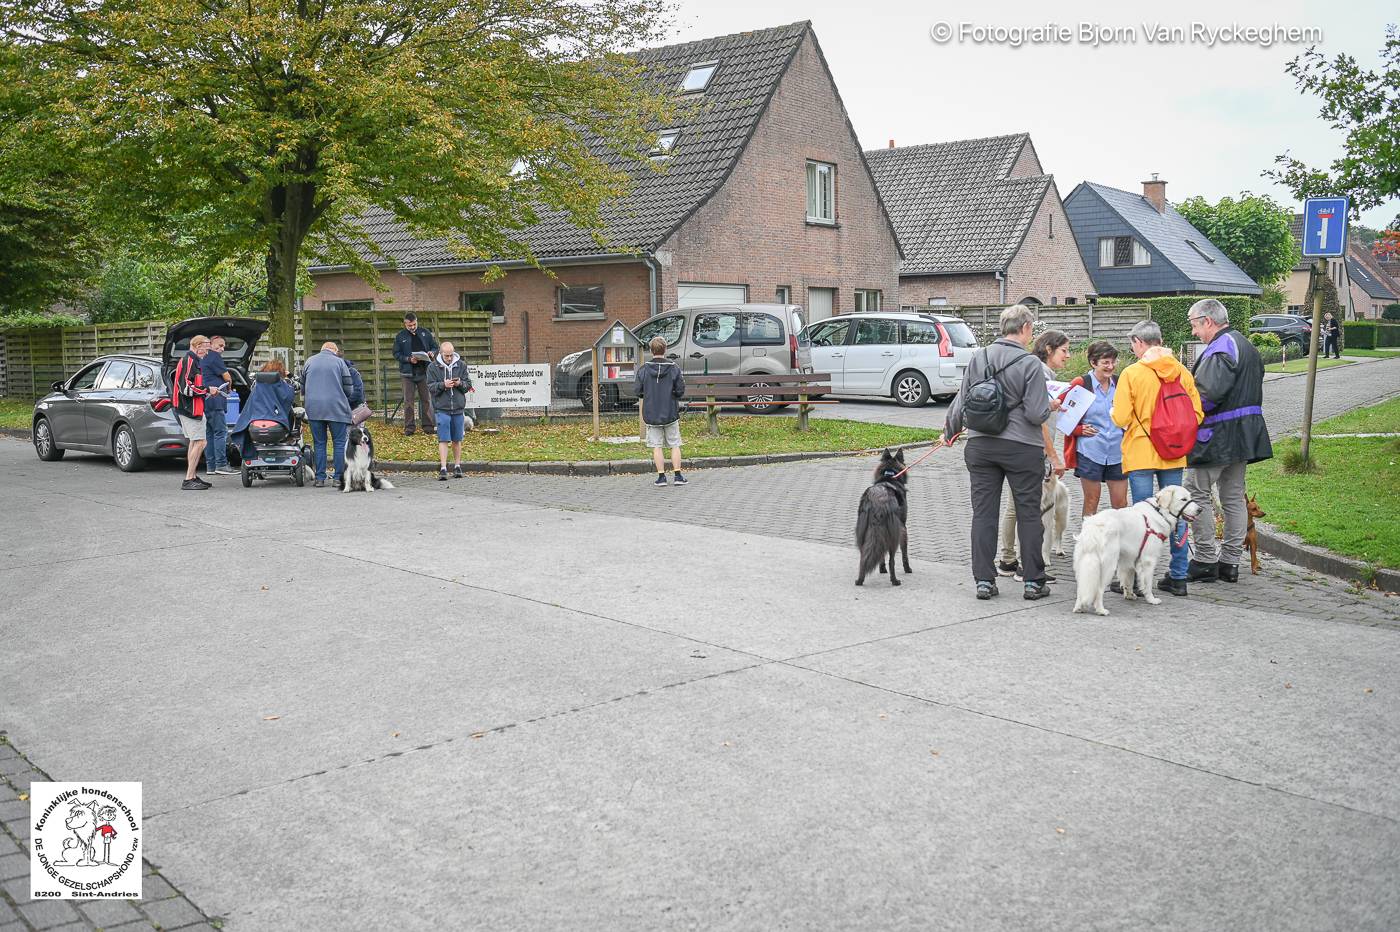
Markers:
point(1101, 34)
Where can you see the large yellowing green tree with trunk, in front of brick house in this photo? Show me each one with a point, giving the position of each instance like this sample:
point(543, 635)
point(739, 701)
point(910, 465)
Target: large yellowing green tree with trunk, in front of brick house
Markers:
point(264, 128)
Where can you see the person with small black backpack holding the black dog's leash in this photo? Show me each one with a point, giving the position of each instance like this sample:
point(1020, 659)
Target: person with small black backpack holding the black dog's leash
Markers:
point(1003, 405)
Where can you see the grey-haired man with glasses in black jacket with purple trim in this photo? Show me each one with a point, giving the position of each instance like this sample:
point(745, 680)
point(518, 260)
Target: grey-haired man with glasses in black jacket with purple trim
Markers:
point(1230, 376)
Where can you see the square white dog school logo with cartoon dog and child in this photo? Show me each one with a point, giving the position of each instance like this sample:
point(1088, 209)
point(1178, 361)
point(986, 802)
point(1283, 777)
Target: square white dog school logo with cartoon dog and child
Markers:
point(86, 842)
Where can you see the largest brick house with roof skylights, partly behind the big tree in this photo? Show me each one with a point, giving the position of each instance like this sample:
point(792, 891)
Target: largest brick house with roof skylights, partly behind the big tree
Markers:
point(766, 198)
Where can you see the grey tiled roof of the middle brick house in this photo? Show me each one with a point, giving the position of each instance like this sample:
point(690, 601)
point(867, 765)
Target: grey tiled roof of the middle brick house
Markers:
point(954, 206)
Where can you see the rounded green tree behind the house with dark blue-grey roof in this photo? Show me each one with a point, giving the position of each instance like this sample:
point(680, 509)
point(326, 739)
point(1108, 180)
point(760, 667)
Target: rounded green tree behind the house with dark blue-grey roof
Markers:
point(1254, 232)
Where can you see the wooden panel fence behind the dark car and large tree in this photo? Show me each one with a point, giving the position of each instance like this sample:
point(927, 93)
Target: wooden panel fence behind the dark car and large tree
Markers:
point(31, 360)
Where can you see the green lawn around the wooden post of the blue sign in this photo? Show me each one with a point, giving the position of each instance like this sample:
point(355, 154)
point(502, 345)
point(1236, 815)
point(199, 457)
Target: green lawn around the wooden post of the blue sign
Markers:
point(1349, 506)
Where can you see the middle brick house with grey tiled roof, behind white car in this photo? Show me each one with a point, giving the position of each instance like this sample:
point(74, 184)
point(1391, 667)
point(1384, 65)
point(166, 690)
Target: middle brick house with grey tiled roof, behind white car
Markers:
point(979, 223)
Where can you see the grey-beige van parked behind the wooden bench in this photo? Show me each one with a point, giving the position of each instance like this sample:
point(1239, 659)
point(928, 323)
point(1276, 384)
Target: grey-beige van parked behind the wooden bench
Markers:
point(744, 339)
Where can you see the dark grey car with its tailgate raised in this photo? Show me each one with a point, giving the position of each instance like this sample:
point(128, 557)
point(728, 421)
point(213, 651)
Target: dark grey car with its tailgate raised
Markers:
point(120, 405)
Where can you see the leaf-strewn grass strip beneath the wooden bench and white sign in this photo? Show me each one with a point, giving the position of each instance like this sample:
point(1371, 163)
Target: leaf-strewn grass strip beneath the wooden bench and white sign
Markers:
point(572, 440)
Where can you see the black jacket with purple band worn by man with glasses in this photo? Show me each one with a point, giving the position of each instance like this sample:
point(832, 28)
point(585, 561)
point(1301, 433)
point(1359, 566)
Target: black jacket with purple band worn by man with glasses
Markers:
point(1230, 376)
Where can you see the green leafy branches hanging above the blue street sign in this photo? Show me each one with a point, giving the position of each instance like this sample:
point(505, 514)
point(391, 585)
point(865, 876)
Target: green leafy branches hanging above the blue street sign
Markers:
point(1364, 104)
